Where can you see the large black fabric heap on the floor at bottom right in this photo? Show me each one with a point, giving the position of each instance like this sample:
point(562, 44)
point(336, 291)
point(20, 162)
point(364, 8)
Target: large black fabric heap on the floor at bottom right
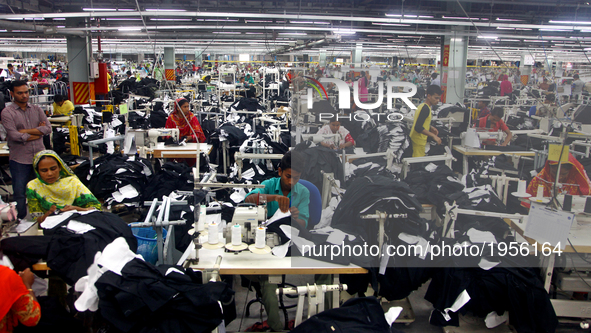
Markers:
point(516, 290)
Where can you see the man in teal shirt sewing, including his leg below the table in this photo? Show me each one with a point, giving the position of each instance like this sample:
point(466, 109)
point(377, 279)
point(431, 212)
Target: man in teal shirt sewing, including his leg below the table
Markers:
point(284, 193)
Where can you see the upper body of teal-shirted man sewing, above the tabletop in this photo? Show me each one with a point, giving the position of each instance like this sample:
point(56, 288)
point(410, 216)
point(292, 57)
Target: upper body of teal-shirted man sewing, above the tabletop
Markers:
point(284, 192)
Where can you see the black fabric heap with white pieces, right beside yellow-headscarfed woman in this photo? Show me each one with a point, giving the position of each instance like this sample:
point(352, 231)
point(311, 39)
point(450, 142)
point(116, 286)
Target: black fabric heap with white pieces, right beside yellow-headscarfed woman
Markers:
point(112, 172)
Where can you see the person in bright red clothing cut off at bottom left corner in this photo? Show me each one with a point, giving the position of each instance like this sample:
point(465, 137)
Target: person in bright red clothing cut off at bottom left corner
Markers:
point(18, 302)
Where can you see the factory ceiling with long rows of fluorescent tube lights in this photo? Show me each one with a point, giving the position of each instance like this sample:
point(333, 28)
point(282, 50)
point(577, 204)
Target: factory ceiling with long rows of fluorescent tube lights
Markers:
point(497, 30)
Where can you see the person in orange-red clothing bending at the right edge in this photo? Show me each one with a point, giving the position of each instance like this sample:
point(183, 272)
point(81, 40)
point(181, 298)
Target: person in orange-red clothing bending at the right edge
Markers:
point(573, 179)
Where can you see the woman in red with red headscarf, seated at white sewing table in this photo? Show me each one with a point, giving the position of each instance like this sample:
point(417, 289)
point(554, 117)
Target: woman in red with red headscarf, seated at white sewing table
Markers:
point(186, 122)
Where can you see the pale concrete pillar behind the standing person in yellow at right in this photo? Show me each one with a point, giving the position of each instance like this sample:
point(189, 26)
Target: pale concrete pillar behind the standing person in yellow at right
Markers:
point(454, 58)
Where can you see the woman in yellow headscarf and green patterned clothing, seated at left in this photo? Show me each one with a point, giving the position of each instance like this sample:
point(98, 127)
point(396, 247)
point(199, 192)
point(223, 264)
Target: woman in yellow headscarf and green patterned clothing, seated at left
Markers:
point(56, 187)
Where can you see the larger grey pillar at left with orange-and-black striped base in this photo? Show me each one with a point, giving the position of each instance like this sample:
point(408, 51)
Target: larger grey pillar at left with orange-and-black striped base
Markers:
point(79, 51)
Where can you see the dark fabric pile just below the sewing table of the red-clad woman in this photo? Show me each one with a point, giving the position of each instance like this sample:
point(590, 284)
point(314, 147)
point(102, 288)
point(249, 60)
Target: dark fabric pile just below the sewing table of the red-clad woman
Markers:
point(171, 176)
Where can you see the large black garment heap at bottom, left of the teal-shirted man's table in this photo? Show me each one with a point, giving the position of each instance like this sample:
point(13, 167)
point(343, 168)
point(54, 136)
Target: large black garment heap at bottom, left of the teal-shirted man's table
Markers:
point(146, 299)
